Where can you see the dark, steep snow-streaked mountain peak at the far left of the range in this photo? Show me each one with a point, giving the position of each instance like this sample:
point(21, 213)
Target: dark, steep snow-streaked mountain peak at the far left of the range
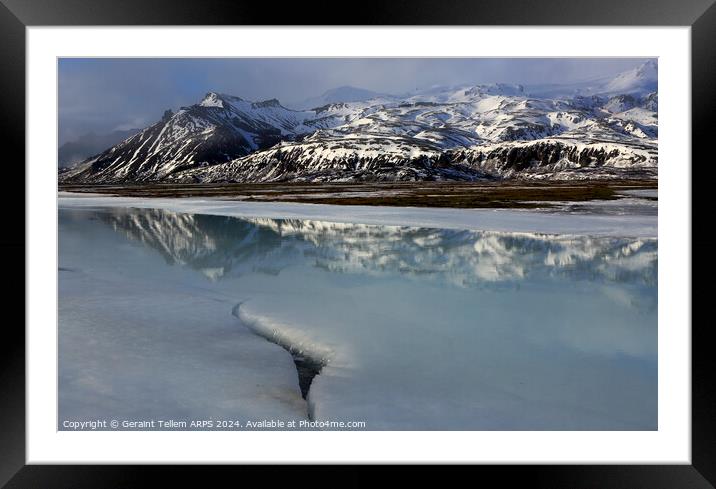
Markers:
point(217, 129)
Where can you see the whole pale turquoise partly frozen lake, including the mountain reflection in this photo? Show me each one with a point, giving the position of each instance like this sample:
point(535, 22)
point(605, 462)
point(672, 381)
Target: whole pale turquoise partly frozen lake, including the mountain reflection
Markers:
point(165, 314)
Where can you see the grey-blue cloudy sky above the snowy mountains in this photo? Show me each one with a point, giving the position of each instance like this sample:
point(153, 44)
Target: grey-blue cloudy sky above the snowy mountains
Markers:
point(107, 94)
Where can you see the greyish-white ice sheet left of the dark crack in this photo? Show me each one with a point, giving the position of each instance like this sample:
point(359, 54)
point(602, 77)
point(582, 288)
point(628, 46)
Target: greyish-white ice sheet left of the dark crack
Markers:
point(140, 340)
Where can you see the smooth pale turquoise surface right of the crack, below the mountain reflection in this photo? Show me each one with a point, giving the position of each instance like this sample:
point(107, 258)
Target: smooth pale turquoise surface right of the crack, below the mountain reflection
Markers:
point(406, 355)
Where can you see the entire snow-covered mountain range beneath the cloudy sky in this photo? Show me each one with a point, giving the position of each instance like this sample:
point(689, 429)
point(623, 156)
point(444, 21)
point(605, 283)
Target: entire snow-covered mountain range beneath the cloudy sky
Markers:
point(607, 130)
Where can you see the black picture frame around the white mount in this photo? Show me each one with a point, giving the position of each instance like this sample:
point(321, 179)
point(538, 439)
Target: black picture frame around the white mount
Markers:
point(16, 15)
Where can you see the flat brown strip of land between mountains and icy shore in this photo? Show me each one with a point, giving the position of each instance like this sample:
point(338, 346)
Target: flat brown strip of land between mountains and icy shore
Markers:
point(512, 194)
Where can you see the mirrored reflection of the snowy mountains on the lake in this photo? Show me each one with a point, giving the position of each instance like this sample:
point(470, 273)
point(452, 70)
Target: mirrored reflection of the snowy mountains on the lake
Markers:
point(221, 246)
